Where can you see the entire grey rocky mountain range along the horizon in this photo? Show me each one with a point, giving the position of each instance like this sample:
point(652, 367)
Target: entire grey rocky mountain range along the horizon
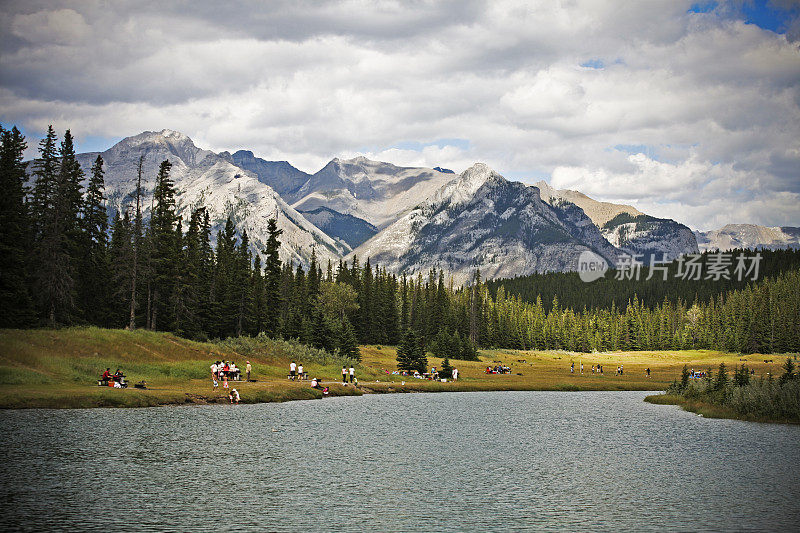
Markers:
point(405, 218)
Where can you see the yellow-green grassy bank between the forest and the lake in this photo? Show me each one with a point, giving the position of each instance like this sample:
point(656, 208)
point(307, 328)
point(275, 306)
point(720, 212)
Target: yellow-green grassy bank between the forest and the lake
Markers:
point(59, 368)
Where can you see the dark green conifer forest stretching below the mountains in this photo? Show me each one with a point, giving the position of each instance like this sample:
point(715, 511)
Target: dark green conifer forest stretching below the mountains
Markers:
point(65, 263)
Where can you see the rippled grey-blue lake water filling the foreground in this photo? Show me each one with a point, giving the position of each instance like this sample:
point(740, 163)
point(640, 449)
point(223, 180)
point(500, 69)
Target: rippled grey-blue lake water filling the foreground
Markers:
point(501, 461)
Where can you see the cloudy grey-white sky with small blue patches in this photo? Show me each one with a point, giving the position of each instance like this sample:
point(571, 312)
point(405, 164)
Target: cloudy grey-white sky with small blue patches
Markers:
point(686, 110)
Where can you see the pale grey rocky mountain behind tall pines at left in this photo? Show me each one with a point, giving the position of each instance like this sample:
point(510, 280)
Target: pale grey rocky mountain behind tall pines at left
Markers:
point(202, 177)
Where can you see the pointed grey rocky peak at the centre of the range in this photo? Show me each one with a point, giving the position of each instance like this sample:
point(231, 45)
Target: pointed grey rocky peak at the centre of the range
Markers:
point(481, 220)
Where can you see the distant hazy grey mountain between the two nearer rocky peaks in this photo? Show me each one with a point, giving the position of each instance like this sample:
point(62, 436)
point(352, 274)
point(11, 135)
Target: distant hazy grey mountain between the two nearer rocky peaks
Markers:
point(379, 193)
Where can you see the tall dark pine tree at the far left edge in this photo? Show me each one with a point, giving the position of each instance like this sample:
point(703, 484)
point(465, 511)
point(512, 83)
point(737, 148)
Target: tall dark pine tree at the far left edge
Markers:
point(15, 234)
